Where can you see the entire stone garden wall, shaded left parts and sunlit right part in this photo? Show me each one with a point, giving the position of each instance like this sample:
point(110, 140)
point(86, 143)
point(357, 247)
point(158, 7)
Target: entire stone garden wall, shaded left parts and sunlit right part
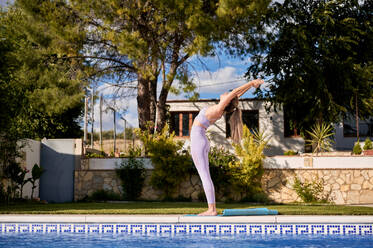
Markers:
point(344, 186)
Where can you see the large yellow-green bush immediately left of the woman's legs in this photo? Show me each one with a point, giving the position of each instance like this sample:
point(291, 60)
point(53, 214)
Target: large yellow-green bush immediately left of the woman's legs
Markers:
point(171, 166)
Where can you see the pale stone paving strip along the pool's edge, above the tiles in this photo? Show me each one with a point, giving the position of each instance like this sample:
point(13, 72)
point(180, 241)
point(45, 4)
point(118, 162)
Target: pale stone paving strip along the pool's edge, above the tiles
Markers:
point(277, 219)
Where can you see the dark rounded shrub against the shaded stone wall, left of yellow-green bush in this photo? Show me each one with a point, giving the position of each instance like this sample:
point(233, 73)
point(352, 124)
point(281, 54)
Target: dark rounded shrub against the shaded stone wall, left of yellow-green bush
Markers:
point(132, 176)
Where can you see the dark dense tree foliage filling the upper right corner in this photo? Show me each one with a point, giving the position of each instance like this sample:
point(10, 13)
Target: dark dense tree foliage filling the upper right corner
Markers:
point(318, 58)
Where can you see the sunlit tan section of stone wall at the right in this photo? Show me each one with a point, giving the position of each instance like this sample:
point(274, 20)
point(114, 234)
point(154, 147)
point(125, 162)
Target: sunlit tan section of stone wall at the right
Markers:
point(343, 186)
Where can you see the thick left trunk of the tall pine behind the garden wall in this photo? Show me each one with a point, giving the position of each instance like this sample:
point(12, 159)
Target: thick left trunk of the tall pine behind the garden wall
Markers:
point(143, 102)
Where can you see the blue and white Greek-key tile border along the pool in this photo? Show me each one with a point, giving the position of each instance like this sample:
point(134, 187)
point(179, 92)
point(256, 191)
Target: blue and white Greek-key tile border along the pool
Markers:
point(293, 229)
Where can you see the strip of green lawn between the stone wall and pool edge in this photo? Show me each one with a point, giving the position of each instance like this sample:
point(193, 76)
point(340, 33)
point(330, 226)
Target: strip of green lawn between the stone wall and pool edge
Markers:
point(174, 208)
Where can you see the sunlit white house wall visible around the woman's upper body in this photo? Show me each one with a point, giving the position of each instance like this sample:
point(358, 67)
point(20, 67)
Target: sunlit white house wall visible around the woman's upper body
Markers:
point(271, 123)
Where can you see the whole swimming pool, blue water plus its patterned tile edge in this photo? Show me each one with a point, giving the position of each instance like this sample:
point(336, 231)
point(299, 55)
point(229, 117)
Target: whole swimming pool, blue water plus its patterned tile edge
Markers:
point(56, 235)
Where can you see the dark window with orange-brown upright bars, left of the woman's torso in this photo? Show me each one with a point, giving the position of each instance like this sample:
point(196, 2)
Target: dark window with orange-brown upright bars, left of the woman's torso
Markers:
point(181, 123)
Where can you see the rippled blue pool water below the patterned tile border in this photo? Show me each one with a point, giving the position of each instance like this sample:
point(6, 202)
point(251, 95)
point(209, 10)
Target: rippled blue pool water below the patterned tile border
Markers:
point(105, 240)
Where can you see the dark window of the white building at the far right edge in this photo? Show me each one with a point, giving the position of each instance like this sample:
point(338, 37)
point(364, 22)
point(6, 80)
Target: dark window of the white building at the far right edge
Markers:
point(365, 127)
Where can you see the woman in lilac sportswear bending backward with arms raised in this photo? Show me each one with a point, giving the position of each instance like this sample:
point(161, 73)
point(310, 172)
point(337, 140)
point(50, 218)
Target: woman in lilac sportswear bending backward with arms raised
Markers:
point(199, 144)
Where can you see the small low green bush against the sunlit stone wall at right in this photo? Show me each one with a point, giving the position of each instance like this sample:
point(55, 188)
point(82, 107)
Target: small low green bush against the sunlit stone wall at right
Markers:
point(310, 191)
